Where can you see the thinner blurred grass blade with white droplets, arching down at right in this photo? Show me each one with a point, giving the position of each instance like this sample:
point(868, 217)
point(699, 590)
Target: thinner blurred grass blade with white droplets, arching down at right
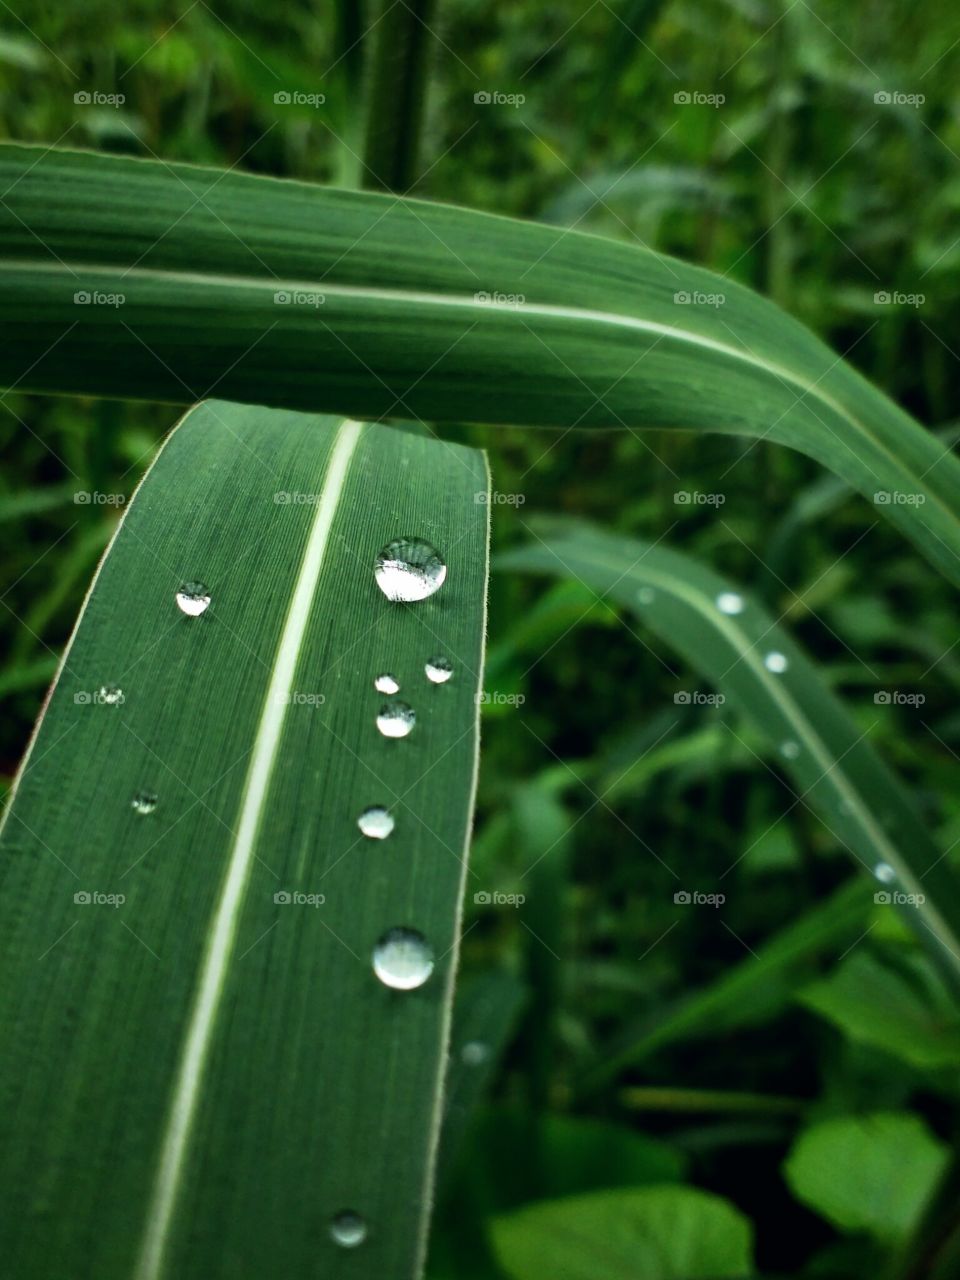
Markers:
point(739, 648)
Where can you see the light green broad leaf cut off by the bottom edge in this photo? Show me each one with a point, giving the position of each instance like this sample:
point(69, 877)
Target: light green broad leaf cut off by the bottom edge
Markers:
point(660, 1233)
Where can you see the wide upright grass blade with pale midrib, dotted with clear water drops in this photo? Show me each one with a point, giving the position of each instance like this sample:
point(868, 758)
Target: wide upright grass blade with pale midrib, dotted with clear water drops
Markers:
point(202, 1068)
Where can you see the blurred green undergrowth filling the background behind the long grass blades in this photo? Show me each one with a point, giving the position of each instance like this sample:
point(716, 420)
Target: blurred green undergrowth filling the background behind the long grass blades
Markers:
point(793, 1052)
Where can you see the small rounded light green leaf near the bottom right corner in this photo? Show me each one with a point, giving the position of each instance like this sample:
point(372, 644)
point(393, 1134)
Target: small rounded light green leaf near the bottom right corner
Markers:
point(872, 1173)
